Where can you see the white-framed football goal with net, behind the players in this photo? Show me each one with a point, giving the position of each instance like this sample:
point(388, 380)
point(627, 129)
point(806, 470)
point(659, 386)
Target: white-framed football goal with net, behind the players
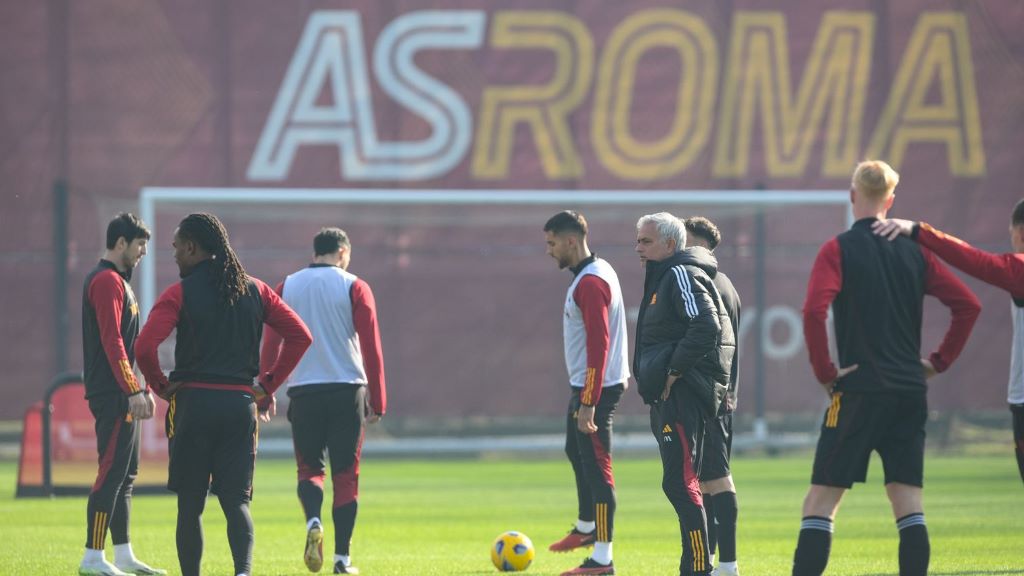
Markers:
point(471, 305)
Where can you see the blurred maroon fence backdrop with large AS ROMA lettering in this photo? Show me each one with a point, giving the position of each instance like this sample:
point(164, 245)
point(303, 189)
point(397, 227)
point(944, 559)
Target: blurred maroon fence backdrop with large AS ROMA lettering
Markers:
point(599, 104)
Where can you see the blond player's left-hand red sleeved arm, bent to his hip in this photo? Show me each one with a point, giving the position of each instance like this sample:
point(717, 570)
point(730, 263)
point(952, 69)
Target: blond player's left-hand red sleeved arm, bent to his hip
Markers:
point(824, 286)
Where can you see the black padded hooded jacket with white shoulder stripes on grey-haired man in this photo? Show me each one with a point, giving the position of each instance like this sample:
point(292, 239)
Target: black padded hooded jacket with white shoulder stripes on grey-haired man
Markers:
point(684, 325)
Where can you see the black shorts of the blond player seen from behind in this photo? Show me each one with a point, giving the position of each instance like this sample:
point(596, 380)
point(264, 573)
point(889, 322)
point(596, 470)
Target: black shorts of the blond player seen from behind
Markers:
point(858, 424)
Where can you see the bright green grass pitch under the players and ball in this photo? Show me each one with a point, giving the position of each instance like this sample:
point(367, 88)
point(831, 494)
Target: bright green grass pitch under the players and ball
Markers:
point(423, 518)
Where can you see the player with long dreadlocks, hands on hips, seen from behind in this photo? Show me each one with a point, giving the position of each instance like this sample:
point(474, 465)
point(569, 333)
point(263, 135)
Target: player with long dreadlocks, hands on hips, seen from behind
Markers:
point(220, 312)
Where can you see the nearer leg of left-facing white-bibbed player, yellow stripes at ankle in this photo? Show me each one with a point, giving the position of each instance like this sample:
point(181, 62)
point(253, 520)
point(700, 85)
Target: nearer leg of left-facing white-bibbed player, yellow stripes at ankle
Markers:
point(595, 458)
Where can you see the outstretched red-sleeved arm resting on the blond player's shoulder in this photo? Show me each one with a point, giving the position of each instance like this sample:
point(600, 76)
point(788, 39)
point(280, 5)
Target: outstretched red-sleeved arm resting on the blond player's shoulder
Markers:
point(1004, 271)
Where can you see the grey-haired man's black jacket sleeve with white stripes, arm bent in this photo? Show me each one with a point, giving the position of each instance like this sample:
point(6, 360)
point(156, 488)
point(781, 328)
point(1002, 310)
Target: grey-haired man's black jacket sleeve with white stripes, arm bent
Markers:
point(695, 303)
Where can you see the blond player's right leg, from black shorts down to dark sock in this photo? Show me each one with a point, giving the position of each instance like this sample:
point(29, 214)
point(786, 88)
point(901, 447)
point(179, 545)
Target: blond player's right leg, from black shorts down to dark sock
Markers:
point(903, 452)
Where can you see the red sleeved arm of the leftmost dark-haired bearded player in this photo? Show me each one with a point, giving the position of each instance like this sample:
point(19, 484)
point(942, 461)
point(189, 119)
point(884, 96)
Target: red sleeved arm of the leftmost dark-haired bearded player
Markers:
point(107, 295)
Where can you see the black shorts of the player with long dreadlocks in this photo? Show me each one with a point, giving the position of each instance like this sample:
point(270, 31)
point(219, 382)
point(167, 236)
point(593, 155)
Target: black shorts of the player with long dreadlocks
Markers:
point(212, 438)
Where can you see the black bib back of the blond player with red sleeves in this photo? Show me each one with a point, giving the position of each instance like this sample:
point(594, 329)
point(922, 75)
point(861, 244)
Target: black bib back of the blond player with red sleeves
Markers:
point(878, 312)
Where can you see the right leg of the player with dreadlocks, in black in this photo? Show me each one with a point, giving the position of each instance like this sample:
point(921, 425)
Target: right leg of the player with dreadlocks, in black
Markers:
point(234, 465)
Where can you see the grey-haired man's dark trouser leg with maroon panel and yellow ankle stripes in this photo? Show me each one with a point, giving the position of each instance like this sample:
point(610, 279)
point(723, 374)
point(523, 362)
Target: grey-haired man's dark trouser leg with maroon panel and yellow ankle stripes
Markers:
point(680, 442)
